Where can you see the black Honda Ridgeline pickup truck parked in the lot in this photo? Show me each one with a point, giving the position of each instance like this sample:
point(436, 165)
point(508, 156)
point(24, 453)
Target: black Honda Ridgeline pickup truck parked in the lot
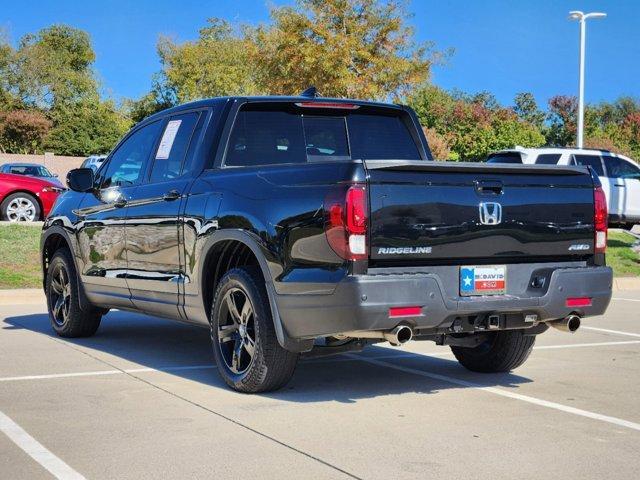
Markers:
point(306, 226)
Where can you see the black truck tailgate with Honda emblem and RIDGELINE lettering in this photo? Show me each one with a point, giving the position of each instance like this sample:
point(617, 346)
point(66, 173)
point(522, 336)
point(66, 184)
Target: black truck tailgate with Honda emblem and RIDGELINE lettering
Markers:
point(445, 212)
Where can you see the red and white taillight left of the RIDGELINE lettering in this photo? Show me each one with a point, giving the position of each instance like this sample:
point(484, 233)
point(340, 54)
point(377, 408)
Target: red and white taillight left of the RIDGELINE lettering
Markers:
point(346, 225)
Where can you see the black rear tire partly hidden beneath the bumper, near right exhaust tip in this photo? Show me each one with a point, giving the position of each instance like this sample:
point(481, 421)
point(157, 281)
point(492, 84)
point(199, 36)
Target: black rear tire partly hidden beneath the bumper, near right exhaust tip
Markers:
point(502, 352)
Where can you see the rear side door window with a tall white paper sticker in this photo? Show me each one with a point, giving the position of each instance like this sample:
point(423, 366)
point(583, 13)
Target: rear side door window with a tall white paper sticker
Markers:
point(171, 151)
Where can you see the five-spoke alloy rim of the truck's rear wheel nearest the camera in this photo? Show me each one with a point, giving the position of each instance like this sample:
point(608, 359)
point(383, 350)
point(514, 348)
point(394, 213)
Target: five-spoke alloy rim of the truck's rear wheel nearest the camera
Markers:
point(236, 331)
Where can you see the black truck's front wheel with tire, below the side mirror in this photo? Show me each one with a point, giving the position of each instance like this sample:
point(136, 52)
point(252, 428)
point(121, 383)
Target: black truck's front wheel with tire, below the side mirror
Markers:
point(66, 316)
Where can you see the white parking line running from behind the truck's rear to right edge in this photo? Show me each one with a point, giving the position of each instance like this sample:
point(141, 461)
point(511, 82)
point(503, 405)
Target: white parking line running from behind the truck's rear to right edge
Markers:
point(503, 393)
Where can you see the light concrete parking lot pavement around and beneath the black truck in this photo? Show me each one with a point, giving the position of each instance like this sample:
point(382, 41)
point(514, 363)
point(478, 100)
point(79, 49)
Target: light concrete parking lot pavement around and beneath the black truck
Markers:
point(141, 400)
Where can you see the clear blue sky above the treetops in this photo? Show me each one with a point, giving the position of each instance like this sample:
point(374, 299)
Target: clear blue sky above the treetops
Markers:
point(501, 46)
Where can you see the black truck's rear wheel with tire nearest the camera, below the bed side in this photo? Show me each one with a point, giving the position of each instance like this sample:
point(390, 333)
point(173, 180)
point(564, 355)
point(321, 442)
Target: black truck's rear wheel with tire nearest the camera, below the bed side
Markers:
point(270, 366)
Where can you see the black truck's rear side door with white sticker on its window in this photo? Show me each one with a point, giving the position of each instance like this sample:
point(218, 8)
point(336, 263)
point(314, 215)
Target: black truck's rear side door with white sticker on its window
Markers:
point(153, 225)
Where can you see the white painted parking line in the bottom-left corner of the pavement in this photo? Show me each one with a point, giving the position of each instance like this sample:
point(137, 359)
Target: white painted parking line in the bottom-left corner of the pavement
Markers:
point(36, 450)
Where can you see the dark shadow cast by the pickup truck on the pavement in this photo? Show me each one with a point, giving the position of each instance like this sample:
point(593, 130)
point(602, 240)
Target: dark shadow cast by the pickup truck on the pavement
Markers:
point(151, 342)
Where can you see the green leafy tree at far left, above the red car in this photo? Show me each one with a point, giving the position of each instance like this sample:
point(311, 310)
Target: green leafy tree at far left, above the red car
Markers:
point(51, 74)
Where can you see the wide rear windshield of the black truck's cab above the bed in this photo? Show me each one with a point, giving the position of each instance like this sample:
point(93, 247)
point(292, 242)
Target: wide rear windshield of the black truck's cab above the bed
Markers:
point(279, 135)
